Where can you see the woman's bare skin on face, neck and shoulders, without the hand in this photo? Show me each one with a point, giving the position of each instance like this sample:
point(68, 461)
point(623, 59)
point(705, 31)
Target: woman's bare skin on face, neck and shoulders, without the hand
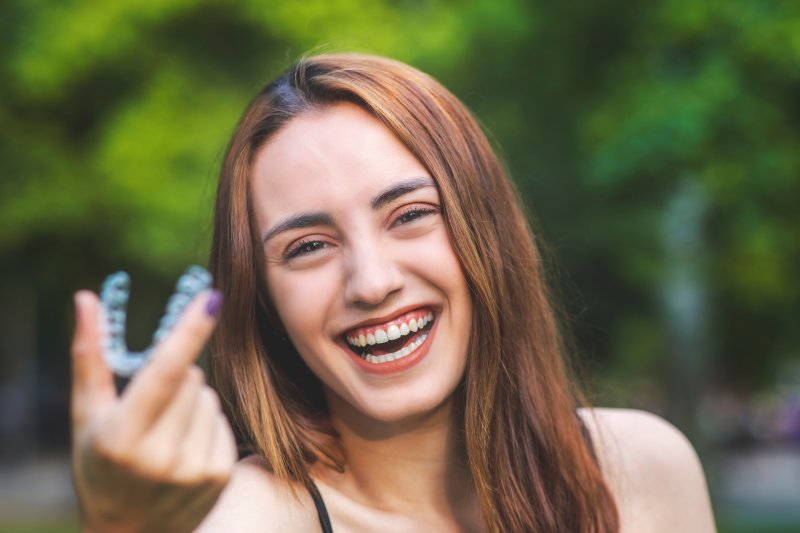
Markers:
point(405, 469)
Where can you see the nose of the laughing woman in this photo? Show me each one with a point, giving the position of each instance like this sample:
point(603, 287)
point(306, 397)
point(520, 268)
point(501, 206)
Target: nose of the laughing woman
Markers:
point(372, 275)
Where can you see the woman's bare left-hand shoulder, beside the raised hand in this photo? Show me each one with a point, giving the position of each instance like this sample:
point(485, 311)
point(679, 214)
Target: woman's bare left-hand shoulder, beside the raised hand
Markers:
point(255, 500)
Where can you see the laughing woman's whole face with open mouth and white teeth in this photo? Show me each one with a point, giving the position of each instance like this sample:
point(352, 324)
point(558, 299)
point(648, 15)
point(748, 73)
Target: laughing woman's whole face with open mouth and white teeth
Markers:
point(359, 264)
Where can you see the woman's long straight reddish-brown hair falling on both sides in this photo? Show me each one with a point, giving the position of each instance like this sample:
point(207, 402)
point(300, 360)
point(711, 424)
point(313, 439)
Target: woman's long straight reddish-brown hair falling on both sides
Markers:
point(532, 467)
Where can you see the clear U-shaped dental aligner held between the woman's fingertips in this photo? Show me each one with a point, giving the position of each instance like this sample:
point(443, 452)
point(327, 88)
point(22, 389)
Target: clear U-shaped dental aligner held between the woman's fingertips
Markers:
point(114, 296)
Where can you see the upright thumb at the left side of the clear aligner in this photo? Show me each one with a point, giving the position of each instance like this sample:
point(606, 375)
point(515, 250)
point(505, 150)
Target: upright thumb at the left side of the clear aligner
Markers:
point(93, 386)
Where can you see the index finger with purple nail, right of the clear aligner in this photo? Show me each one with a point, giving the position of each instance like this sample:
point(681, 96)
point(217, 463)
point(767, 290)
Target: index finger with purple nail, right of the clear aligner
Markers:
point(152, 388)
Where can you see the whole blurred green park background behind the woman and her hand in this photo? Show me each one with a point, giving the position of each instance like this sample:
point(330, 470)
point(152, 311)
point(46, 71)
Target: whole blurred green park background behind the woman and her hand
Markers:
point(657, 144)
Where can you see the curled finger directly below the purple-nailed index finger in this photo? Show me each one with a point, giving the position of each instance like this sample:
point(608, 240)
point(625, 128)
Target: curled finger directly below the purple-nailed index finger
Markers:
point(161, 445)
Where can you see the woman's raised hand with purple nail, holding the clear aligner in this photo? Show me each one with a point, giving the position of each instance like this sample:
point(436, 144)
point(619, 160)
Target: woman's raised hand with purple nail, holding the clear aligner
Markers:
point(157, 457)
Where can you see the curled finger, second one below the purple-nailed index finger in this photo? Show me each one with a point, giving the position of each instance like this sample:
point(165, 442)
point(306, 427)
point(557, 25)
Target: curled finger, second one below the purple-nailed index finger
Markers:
point(200, 437)
